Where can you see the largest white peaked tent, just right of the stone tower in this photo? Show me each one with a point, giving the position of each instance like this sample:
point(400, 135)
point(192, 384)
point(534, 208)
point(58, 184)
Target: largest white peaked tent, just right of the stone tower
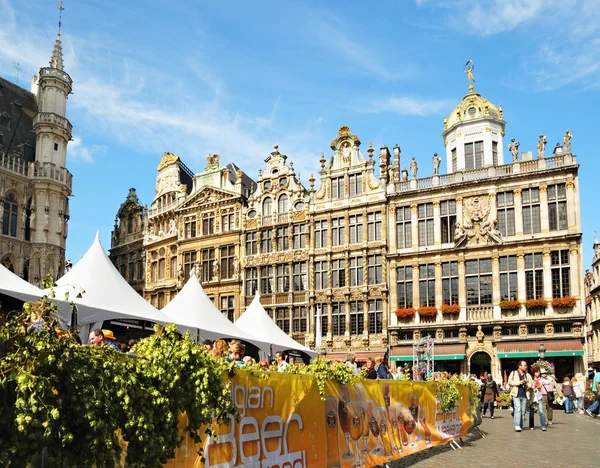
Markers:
point(105, 293)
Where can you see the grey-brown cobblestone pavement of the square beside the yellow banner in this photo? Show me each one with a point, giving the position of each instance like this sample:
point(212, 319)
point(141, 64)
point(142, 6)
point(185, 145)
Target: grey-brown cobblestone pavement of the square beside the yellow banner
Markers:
point(572, 440)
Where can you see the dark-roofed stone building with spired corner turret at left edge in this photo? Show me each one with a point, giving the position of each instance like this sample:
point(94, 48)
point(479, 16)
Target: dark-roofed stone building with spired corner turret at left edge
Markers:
point(35, 184)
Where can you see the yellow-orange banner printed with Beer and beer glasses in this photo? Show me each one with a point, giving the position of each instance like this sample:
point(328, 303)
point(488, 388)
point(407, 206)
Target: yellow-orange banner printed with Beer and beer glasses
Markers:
point(285, 424)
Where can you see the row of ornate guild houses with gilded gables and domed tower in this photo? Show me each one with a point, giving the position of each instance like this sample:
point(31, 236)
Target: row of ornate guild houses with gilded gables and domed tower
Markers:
point(485, 258)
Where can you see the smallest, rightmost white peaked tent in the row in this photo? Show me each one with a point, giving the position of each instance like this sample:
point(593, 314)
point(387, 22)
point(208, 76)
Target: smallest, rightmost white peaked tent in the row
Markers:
point(256, 322)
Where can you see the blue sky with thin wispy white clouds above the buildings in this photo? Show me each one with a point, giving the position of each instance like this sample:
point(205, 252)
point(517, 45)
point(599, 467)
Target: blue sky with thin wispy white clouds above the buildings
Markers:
point(236, 77)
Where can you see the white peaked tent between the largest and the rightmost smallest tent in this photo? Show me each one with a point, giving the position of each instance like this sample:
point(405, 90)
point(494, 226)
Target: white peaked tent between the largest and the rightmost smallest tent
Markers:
point(192, 310)
